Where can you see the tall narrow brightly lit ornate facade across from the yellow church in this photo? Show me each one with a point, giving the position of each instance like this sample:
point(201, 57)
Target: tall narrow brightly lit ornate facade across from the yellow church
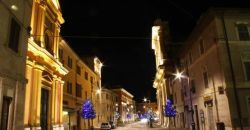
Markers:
point(160, 38)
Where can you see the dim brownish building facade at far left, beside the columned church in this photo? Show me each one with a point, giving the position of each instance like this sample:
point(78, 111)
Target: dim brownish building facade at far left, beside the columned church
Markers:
point(14, 34)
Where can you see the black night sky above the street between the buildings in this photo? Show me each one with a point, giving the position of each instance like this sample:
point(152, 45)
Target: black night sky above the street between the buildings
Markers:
point(119, 33)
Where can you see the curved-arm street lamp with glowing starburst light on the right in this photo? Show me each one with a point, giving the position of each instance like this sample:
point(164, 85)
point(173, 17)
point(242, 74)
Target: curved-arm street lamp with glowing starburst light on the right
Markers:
point(179, 75)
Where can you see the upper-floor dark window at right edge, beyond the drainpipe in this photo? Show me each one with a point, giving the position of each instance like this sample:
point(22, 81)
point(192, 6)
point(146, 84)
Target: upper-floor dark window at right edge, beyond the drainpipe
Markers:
point(243, 32)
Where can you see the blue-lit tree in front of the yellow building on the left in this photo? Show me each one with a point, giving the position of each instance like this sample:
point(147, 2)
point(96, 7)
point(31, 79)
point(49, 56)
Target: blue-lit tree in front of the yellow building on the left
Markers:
point(88, 111)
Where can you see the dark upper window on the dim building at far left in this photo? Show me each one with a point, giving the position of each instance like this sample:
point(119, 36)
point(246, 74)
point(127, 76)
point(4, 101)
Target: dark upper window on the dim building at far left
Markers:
point(14, 35)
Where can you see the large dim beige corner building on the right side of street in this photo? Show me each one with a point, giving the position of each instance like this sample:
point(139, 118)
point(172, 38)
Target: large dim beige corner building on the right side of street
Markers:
point(215, 90)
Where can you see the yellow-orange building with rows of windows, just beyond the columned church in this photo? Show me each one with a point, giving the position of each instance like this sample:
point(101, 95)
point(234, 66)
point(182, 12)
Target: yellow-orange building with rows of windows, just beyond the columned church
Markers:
point(81, 83)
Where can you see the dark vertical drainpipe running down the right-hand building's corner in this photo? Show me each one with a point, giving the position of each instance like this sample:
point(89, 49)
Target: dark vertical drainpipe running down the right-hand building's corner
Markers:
point(238, 108)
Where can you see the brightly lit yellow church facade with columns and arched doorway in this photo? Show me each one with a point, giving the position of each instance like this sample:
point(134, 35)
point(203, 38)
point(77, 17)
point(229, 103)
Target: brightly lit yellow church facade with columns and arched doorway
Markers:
point(44, 90)
